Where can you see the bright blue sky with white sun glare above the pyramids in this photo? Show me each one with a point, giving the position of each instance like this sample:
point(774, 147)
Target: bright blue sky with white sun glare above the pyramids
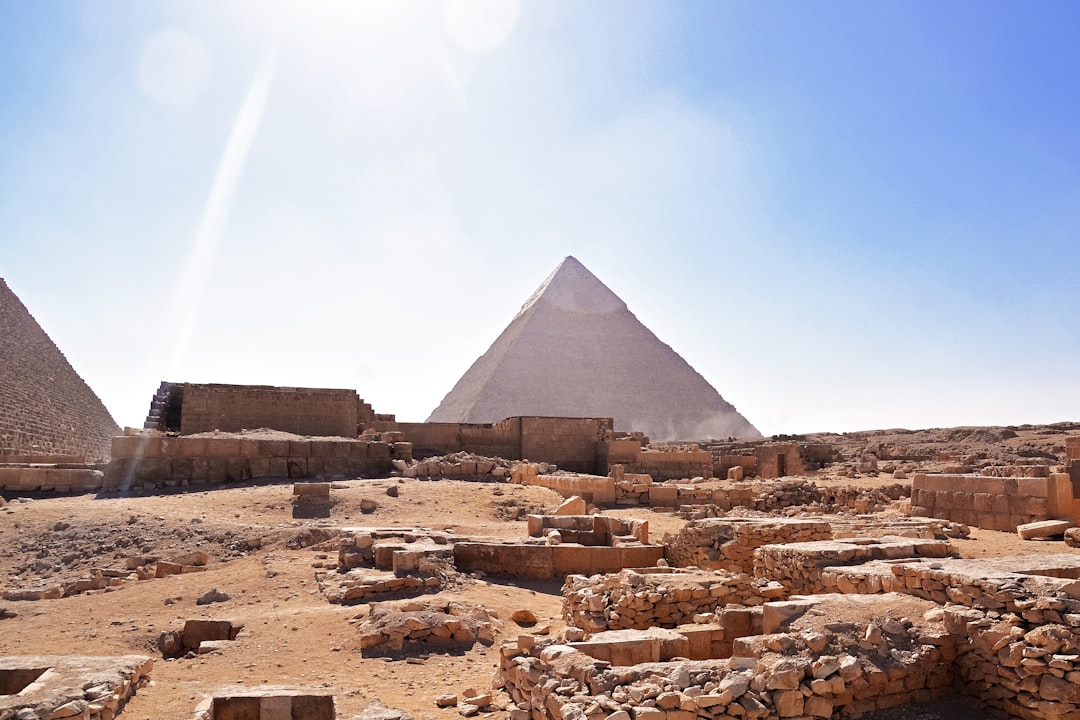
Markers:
point(846, 216)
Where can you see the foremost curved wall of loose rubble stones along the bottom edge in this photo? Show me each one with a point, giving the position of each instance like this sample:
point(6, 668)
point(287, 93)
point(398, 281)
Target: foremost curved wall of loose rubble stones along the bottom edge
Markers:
point(771, 680)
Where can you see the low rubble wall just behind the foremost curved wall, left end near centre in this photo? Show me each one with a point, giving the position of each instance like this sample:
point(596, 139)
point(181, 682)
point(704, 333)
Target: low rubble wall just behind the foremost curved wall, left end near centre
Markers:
point(655, 597)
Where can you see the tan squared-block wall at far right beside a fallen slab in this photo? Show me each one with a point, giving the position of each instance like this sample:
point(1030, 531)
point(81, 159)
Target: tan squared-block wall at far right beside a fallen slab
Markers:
point(993, 504)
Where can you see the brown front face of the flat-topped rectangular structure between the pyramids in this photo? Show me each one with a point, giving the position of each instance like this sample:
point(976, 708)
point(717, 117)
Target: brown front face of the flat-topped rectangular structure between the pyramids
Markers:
point(313, 412)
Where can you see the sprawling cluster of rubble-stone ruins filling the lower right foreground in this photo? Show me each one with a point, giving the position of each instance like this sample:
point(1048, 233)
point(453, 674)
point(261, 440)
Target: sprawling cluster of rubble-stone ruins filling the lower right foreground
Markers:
point(868, 624)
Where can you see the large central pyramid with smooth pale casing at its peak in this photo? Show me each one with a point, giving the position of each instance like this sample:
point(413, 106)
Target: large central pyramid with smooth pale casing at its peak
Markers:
point(575, 350)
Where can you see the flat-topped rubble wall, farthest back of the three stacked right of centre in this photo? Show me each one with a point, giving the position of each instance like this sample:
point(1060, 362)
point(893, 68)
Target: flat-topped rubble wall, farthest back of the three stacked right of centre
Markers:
point(730, 545)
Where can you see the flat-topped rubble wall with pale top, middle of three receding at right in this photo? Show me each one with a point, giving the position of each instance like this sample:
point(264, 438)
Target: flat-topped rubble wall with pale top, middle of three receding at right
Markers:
point(800, 566)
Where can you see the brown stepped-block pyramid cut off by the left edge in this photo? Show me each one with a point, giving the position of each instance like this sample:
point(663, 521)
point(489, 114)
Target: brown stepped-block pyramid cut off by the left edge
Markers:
point(46, 409)
